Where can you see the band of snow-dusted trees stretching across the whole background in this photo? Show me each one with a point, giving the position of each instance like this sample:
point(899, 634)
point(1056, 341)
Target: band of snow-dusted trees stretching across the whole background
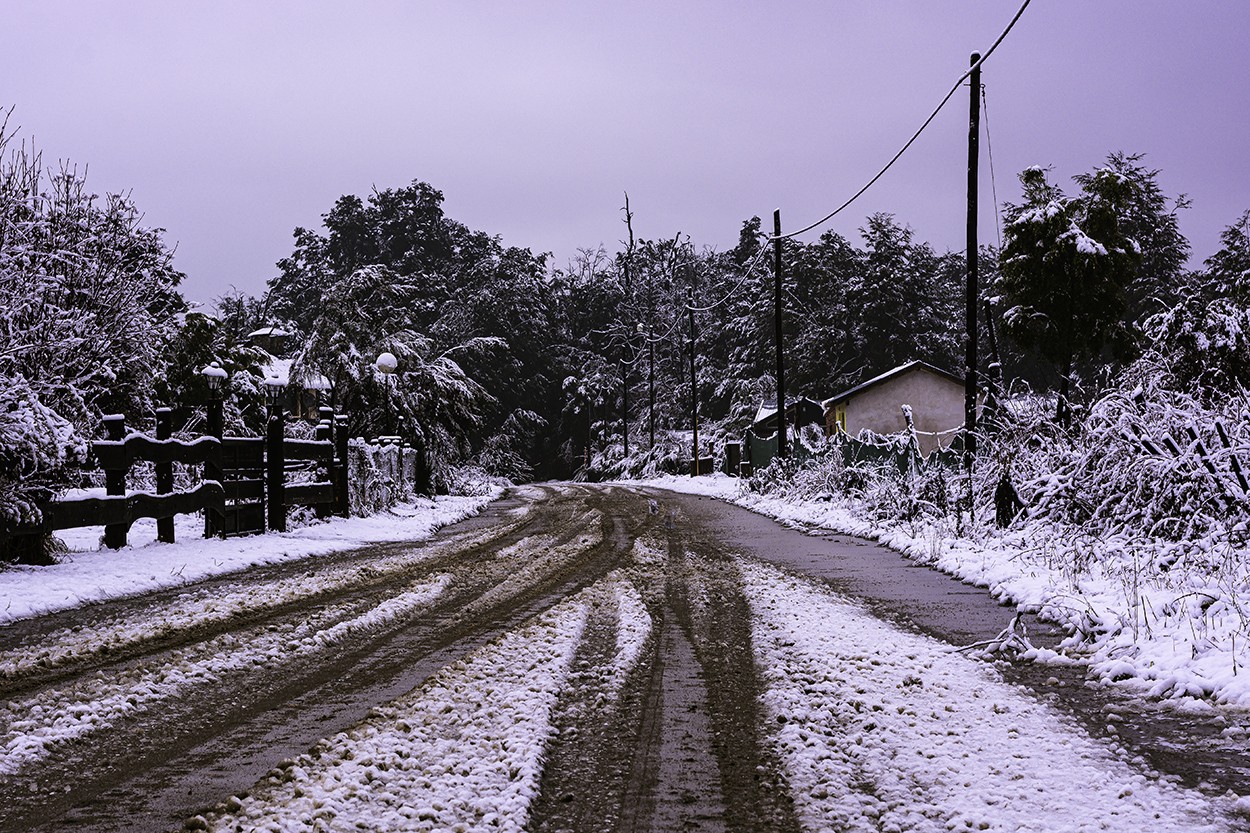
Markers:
point(517, 366)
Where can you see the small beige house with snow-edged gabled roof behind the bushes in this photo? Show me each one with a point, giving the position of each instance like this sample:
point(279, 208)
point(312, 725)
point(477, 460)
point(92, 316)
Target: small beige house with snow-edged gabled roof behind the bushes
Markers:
point(936, 397)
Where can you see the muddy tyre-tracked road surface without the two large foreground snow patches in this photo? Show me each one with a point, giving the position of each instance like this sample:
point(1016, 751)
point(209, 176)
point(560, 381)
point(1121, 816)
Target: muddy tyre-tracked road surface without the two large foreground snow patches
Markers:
point(144, 714)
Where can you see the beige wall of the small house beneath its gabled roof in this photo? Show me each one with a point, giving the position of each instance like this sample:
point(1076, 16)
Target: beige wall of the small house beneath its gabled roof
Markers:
point(937, 406)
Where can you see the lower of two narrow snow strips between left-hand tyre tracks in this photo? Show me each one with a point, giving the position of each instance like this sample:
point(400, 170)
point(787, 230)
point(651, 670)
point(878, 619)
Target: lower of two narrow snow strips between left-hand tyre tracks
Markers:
point(32, 729)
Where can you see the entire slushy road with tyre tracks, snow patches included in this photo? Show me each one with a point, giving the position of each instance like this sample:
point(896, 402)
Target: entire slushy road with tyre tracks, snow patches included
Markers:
point(576, 660)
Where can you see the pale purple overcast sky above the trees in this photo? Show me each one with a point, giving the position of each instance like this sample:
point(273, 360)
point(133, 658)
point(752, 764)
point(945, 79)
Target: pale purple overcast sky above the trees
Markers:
point(233, 123)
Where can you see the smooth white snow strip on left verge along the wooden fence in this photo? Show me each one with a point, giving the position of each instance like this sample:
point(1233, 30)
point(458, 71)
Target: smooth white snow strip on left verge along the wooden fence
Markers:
point(92, 573)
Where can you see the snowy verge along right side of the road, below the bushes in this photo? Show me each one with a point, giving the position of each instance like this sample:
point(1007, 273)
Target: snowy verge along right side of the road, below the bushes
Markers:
point(1182, 635)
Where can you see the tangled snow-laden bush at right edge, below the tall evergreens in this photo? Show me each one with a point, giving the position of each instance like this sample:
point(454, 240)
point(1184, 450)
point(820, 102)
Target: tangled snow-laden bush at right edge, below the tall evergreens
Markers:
point(1147, 460)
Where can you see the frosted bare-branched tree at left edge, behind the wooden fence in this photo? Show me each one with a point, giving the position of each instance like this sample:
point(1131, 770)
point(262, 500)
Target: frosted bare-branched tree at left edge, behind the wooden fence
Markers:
point(88, 302)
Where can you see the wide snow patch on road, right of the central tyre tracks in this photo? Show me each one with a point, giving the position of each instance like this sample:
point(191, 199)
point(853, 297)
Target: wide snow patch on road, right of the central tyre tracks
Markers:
point(883, 730)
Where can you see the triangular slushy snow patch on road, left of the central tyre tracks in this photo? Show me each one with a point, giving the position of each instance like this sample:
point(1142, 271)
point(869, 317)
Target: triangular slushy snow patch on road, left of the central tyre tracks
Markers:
point(462, 752)
